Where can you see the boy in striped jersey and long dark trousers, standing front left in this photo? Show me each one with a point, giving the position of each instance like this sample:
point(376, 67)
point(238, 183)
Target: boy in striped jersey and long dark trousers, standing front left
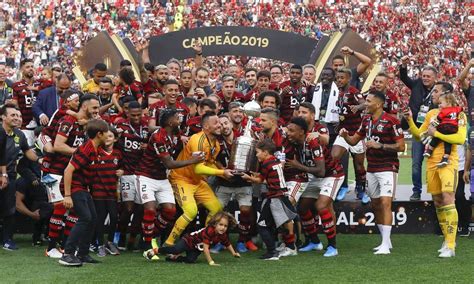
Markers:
point(79, 176)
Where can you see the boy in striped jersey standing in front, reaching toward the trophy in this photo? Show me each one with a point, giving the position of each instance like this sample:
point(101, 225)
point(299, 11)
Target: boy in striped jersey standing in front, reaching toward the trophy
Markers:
point(276, 210)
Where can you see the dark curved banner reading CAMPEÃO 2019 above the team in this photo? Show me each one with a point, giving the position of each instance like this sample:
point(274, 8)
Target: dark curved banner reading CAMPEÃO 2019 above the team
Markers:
point(240, 41)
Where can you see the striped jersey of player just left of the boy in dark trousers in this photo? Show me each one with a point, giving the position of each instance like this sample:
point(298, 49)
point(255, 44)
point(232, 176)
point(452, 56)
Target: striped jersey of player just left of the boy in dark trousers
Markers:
point(75, 135)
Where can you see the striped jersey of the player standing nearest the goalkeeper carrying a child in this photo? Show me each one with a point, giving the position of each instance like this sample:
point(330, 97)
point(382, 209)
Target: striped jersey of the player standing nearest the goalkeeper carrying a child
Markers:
point(386, 130)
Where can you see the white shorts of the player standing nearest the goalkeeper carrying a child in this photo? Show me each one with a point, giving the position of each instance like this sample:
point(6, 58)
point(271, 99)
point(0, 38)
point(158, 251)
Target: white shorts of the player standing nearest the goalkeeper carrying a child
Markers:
point(381, 184)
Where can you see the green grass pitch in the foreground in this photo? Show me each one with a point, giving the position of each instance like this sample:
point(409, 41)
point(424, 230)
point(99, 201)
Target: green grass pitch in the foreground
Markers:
point(413, 259)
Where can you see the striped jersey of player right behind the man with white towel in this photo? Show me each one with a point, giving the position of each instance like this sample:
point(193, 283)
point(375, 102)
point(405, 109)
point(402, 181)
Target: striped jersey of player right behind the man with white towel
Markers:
point(348, 119)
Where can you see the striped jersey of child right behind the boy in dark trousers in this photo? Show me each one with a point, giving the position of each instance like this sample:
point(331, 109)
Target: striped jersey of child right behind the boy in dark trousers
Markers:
point(105, 186)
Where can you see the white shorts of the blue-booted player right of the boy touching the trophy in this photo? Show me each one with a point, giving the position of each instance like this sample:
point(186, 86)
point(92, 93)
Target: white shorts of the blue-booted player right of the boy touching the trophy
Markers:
point(328, 186)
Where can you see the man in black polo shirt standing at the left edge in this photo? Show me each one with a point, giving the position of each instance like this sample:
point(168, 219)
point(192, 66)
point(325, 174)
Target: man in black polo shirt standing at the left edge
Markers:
point(15, 141)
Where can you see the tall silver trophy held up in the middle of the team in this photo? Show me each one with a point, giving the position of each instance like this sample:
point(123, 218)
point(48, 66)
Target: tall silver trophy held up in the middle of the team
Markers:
point(243, 158)
